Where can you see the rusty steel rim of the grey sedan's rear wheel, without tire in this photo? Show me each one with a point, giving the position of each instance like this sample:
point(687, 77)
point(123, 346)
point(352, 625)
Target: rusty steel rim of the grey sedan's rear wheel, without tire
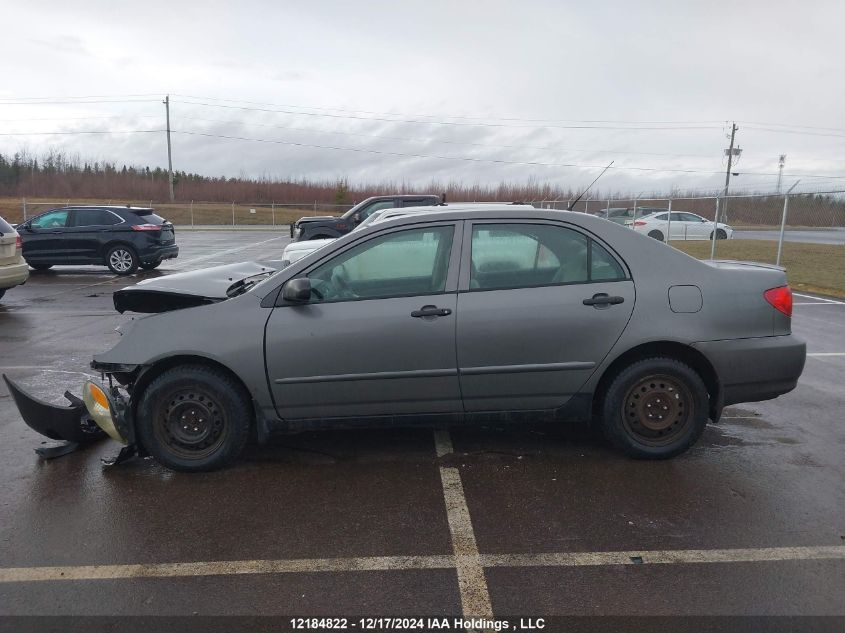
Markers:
point(656, 409)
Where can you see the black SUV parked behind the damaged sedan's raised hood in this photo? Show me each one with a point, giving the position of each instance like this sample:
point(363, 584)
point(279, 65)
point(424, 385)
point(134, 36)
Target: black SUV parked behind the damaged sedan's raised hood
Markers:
point(122, 238)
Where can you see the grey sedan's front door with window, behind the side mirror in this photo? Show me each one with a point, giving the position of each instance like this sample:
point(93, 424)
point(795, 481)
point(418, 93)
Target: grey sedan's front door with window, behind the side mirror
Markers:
point(378, 335)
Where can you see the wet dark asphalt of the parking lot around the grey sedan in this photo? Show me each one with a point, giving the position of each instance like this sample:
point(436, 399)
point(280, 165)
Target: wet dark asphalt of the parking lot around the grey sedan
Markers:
point(769, 475)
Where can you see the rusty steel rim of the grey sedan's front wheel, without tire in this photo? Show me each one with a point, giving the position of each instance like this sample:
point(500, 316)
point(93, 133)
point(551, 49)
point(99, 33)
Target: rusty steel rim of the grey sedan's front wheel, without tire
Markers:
point(192, 424)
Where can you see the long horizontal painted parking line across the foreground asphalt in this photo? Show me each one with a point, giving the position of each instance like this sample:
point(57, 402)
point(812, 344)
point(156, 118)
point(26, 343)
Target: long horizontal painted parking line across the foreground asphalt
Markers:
point(403, 563)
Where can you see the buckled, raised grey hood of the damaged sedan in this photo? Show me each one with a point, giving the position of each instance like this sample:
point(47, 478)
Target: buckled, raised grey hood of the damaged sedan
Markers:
point(188, 289)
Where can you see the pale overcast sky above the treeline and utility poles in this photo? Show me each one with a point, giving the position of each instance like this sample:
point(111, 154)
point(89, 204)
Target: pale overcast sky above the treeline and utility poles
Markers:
point(542, 87)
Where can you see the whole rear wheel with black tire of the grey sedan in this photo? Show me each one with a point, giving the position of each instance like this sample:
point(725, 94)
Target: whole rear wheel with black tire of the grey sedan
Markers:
point(656, 408)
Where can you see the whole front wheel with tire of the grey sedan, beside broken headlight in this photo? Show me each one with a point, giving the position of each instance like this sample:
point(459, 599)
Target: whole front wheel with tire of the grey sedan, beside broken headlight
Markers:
point(194, 418)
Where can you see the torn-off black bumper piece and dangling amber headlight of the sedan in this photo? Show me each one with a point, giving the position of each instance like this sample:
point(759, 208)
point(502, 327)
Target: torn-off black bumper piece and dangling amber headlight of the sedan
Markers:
point(102, 411)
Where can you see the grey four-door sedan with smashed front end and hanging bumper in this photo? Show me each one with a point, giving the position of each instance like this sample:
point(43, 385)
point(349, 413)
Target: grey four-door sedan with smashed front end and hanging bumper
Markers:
point(451, 317)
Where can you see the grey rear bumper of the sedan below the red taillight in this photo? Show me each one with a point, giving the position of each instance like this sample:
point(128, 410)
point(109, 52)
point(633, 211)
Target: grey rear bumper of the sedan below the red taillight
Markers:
point(755, 369)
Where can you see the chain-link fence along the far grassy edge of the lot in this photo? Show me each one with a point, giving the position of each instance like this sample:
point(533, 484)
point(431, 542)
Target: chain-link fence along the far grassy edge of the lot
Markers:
point(766, 228)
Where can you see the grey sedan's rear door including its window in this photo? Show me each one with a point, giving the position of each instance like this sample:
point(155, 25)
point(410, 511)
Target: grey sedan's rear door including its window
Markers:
point(525, 337)
